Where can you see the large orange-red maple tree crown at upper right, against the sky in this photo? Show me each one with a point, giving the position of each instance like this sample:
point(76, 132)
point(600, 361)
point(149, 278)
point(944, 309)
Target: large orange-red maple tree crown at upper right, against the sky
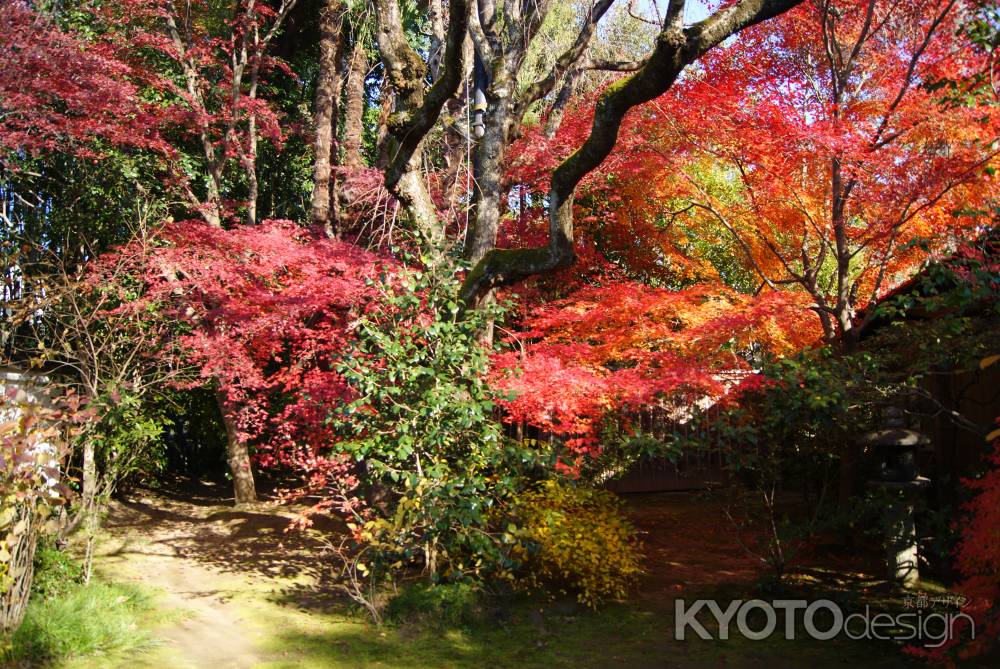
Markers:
point(824, 152)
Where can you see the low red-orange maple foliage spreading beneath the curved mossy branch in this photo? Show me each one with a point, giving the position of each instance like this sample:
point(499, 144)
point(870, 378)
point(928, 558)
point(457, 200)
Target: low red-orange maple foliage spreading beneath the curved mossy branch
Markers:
point(624, 345)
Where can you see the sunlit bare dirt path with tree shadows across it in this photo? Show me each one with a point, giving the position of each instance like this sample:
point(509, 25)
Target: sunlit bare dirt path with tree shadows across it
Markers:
point(208, 559)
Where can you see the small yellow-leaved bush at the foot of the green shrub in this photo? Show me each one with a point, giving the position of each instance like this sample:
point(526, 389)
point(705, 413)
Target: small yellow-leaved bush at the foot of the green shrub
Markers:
point(576, 540)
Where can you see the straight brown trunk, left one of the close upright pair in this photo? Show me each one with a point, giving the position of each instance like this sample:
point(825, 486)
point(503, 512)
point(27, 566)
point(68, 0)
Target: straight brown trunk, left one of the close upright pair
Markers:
point(328, 87)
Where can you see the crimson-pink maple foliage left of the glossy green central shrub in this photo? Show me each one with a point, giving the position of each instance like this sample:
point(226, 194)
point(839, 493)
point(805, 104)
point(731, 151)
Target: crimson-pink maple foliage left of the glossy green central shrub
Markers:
point(263, 313)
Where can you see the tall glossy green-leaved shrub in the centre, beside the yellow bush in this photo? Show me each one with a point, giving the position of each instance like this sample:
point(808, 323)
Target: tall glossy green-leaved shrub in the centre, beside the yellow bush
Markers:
point(435, 459)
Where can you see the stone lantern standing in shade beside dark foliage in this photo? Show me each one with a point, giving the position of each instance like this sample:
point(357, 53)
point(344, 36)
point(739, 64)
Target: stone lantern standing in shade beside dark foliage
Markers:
point(896, 447)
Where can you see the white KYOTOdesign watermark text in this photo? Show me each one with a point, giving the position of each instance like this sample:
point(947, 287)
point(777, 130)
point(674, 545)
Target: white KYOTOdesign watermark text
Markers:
point(822, 619)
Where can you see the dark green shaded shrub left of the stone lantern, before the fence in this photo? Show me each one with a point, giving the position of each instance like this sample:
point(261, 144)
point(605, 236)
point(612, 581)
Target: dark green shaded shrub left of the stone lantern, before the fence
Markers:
point(782, 444)
